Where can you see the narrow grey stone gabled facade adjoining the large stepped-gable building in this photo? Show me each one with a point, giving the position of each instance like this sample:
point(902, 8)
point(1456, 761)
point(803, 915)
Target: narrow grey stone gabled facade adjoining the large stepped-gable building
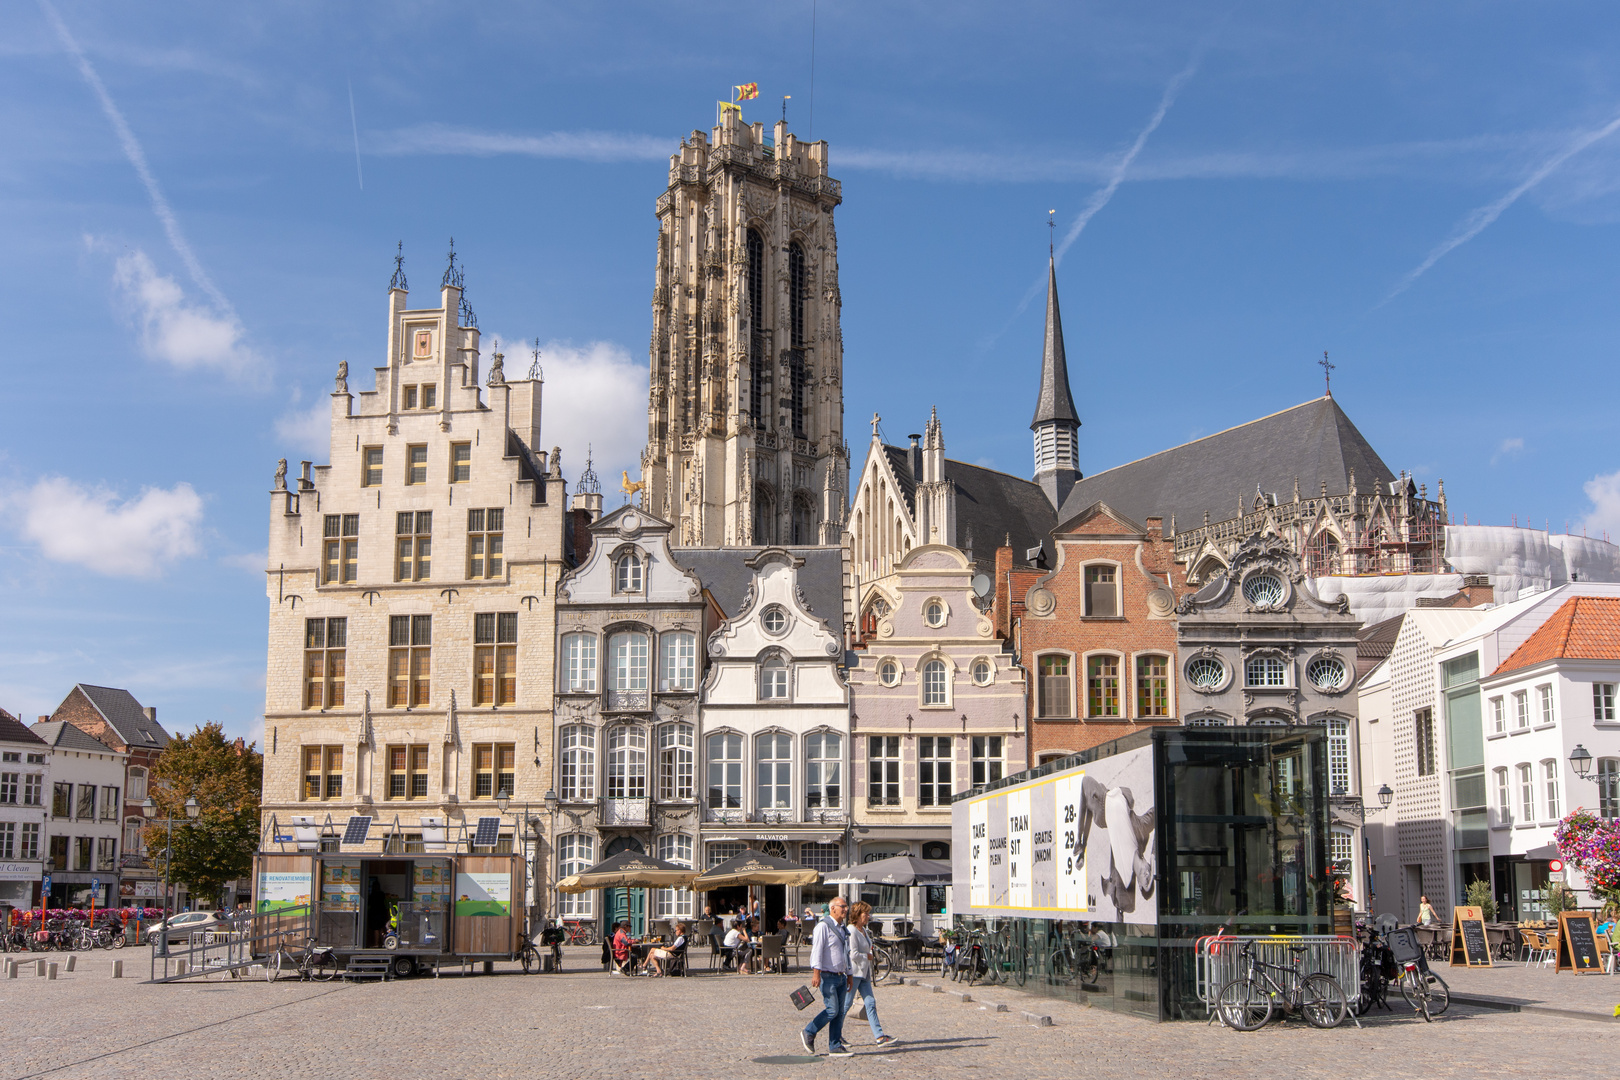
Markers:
point(629, 666)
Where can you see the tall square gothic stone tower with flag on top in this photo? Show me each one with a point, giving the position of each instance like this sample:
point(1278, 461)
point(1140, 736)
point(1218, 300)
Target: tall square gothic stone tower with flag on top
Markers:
point(746, 409)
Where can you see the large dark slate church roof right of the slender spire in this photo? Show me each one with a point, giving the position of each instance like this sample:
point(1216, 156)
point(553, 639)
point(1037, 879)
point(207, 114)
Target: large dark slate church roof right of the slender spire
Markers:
point(1315, 441)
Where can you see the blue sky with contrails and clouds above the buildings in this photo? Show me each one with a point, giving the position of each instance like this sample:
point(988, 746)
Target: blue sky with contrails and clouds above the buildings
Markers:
point(1431, 193)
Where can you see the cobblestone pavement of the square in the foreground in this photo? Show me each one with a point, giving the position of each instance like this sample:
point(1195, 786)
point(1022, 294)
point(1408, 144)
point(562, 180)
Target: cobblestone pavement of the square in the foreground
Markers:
point(582, 1024)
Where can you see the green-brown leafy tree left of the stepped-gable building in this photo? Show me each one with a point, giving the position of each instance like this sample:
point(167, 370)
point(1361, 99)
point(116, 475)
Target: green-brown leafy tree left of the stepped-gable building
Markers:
point(226, 778)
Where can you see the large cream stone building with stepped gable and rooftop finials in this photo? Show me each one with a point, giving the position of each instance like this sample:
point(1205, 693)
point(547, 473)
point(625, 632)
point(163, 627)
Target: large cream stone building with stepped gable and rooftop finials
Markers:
point(412, 587)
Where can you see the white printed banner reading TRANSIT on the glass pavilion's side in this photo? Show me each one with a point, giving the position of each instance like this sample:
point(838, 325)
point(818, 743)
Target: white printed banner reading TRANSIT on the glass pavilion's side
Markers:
point(1076, 844)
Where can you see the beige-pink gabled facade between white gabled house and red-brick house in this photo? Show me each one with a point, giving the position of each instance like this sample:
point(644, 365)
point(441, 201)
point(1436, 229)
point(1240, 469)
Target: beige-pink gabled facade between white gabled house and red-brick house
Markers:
point(937, 705)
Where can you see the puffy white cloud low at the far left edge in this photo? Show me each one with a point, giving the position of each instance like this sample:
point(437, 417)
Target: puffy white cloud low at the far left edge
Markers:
point(135, 538)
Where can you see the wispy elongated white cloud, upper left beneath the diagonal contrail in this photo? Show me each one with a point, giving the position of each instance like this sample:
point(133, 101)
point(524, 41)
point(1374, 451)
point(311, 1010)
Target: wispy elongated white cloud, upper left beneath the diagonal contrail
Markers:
point(176, 331)
